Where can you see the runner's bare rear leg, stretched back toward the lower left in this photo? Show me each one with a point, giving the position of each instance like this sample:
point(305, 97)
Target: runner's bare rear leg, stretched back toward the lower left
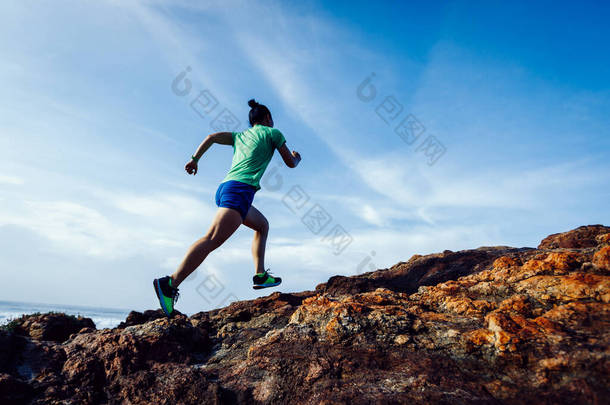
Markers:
point(226, 221)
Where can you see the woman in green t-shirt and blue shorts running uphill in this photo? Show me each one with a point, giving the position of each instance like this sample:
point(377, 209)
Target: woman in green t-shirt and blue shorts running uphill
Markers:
point(252, 152)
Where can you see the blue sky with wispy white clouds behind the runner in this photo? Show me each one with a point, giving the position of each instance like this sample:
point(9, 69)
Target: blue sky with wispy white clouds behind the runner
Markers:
point(94, 201)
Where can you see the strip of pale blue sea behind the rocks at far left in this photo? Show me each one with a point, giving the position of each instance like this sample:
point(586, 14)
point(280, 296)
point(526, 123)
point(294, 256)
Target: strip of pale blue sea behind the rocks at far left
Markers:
point(103, 317)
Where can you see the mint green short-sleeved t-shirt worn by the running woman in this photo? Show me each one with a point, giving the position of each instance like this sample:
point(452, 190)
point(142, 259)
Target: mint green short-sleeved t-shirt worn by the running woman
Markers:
point(252, 152)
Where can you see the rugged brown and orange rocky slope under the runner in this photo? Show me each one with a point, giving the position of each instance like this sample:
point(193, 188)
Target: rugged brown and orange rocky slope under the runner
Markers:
point(489, 325)
